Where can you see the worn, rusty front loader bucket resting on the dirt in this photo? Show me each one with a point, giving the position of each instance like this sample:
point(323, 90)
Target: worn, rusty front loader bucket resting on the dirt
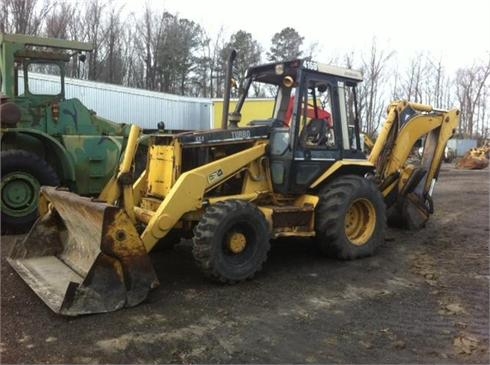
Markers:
point(84, 257)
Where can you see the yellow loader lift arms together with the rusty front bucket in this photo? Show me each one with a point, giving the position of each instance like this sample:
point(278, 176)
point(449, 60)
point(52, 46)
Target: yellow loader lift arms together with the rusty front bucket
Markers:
point(86, 256)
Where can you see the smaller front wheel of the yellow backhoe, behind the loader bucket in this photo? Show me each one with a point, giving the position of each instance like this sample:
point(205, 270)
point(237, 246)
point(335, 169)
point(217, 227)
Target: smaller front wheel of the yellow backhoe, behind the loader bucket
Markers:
point(231, 241)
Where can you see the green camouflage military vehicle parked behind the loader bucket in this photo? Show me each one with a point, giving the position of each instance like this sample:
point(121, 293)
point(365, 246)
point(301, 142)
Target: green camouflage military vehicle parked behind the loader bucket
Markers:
point(47, 139)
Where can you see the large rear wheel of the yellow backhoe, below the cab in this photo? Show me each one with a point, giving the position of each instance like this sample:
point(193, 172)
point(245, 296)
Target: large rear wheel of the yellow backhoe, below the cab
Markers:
point(350, 218)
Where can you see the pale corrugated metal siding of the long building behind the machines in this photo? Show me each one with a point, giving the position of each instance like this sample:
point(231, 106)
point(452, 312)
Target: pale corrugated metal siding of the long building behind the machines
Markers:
point(129, 105)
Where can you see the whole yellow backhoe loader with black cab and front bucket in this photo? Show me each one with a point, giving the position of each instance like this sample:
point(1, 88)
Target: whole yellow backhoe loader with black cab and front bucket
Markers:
point(233, 189)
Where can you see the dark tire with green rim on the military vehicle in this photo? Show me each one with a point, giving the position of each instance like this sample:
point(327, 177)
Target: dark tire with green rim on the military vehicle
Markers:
point(23, 173)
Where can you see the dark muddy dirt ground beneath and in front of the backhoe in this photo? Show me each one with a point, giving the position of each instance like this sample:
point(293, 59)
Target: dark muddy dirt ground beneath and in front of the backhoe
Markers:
point(424, 298)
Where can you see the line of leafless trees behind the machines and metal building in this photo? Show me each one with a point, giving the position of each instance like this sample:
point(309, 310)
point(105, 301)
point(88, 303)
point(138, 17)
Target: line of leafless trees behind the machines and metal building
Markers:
point(162, 51)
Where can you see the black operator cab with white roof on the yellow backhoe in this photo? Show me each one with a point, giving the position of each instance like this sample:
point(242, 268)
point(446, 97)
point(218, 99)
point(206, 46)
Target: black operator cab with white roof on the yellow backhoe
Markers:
point(315, 119)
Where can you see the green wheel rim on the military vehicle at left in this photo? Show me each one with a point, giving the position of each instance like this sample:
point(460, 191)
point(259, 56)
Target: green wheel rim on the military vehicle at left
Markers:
point(20, 193)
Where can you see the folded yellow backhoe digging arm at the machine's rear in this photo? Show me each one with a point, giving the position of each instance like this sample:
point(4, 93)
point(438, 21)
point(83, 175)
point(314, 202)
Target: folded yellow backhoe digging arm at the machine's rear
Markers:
point(400, 182)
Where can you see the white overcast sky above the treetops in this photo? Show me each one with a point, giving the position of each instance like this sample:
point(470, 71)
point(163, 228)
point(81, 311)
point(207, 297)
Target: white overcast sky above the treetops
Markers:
point(455, 31)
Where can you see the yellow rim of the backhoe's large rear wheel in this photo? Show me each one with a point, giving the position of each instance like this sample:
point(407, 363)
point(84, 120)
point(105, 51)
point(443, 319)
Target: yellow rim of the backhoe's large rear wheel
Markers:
point(360, 222)
